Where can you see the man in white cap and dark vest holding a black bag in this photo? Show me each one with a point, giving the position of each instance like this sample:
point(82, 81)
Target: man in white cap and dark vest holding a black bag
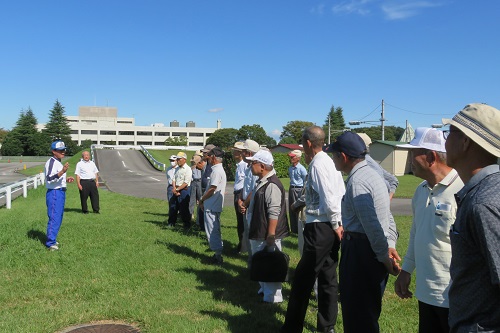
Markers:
point(267, 215)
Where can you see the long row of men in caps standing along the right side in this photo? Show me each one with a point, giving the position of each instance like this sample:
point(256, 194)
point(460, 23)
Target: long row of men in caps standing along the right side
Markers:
point(453, 242)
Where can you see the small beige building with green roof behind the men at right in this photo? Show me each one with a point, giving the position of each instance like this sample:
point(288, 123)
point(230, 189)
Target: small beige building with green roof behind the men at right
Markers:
point(392, 158)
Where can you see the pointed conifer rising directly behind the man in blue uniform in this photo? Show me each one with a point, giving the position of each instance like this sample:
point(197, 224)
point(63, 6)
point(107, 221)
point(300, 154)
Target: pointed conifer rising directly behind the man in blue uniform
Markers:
point(58, 127)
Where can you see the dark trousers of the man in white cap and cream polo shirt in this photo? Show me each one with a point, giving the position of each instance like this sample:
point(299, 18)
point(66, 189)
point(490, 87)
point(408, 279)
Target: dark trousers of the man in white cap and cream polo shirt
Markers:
point(432, 319)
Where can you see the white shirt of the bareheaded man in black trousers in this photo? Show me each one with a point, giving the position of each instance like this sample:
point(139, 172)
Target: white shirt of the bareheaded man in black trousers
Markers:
point(324, 190)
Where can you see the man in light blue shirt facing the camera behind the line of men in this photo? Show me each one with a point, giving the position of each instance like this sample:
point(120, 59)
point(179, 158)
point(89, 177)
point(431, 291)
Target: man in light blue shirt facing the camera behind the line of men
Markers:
point(297, 174)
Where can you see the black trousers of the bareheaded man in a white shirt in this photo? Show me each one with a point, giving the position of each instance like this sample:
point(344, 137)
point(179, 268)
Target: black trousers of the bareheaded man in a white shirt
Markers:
point(319, 260)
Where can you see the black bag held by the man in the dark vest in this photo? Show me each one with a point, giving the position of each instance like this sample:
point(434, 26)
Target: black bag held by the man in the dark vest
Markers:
point(269, 265)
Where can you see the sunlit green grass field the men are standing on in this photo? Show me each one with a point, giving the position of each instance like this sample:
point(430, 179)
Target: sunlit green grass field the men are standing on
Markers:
point(124, 265)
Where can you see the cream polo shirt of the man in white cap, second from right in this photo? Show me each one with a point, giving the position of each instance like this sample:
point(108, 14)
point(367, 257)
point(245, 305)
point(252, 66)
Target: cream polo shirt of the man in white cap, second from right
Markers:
point(429, 249)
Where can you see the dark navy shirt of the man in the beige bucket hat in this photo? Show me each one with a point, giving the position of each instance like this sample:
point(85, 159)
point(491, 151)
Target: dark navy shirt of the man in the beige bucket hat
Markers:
point(475, 262)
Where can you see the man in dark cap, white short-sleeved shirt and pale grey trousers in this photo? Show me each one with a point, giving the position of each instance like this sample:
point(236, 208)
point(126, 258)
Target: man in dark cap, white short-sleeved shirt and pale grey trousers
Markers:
point(212, 202)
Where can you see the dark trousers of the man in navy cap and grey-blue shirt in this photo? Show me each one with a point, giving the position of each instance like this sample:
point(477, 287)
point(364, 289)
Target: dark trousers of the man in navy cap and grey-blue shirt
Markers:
point(362, 283)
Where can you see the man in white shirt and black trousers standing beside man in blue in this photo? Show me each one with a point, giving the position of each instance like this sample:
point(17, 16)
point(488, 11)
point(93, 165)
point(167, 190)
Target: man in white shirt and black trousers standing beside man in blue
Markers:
point(87, 179)
